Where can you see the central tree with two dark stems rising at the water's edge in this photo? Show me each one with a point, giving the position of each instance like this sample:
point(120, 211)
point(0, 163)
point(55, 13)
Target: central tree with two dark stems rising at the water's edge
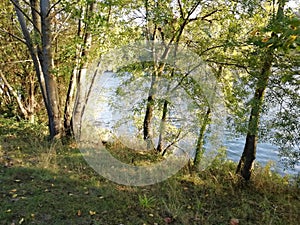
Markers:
point(169, 27)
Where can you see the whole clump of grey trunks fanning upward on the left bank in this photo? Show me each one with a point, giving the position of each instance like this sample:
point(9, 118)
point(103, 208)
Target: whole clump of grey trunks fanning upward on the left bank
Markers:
point(49, 23)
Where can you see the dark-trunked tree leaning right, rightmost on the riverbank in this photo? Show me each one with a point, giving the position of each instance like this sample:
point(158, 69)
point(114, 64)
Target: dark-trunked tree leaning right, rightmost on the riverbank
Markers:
point(268, 48)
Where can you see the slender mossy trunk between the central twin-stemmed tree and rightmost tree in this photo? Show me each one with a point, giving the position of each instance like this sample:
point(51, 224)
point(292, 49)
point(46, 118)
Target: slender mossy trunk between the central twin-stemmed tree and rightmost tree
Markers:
point(199, 147)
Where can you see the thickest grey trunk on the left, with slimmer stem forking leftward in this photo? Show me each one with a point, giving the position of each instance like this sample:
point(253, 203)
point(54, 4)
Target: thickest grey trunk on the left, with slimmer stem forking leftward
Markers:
point(40, 48)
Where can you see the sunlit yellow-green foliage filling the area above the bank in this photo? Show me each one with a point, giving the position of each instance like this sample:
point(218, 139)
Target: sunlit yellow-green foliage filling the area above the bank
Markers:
point(232, 37)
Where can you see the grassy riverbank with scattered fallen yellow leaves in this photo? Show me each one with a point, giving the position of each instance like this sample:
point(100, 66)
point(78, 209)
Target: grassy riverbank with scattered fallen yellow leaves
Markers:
point(42, 183)
